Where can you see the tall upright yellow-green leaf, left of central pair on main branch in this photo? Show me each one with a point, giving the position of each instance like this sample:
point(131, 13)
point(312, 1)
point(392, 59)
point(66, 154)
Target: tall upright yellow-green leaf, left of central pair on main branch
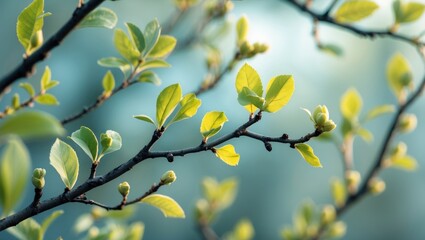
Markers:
point(167, 102)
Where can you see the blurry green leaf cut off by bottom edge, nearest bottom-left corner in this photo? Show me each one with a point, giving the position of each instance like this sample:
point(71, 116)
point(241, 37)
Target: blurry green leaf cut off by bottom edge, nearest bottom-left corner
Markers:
point(28, 229)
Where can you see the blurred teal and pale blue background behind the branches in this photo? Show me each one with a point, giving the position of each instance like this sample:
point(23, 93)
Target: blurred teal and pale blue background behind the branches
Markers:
point(271, 185)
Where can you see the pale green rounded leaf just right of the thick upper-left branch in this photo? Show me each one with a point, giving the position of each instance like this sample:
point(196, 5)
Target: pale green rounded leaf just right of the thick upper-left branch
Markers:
point(100, 17)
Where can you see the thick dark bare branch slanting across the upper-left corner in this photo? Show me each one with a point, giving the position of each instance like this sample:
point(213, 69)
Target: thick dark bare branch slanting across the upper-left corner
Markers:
point(26, 68)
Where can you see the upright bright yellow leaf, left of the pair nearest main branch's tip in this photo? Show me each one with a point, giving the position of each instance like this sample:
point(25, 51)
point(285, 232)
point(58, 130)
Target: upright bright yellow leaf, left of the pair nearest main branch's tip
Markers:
point(248, 77)
